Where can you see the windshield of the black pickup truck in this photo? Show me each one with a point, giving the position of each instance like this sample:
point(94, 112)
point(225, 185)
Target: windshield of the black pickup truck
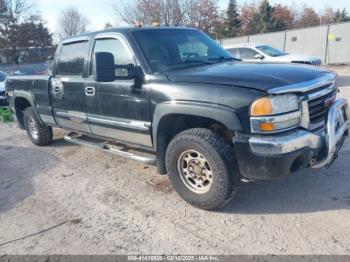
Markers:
point(172, 49)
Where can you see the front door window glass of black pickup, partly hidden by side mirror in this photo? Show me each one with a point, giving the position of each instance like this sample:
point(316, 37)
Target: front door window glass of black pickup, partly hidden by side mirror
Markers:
point(122, 55)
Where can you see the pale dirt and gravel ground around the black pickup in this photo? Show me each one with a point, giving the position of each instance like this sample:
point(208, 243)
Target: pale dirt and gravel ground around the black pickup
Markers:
point(86, 202)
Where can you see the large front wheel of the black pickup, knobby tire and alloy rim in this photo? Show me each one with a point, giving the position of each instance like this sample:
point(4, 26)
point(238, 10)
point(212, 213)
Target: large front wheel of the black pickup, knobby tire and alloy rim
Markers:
point(221, 180)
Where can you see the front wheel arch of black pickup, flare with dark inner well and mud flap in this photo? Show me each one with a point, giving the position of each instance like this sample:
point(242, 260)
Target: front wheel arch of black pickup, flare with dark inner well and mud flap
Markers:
point(173, 118)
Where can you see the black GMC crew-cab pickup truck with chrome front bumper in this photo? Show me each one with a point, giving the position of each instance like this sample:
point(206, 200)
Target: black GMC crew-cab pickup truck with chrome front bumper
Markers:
point(174, 98)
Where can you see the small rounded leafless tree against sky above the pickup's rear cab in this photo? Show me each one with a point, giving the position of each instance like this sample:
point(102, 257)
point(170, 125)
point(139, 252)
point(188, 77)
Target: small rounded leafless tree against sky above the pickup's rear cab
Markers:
point(72, 22)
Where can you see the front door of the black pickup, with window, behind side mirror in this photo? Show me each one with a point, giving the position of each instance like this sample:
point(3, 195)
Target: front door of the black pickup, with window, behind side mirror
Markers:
point(119, 109)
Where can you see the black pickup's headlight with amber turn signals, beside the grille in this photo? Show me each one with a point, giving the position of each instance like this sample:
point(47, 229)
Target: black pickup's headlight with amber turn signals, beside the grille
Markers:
point(273, 114)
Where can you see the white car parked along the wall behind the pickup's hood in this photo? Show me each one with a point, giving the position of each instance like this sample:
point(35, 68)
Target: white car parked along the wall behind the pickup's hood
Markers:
point(268, 54)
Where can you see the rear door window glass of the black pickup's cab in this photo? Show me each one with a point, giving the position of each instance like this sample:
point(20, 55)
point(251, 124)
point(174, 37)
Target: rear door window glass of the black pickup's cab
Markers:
point(71, 59)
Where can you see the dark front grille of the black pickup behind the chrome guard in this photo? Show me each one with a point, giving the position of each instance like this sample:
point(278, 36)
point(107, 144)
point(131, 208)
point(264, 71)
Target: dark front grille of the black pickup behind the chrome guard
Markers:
point(318, 110)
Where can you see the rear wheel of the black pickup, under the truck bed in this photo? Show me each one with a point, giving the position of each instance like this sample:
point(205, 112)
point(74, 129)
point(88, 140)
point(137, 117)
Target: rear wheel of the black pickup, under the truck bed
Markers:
point(40, 134)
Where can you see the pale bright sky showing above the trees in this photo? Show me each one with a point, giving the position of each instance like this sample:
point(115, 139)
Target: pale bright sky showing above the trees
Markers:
point(99, 12)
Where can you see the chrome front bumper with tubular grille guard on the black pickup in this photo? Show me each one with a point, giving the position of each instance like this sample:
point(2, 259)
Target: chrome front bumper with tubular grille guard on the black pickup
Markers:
point(338, 125)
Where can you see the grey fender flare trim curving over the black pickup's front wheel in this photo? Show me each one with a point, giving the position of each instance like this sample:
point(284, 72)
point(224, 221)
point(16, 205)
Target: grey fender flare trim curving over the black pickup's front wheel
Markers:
point(224, 115)
